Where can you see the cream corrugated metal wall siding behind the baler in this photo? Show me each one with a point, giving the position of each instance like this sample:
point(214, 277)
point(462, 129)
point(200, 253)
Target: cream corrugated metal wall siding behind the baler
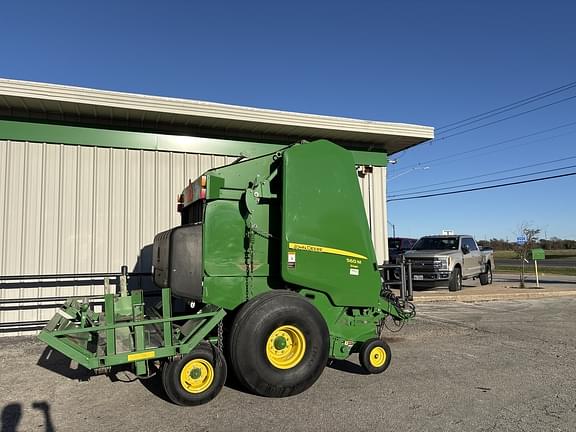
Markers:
point(74, 209)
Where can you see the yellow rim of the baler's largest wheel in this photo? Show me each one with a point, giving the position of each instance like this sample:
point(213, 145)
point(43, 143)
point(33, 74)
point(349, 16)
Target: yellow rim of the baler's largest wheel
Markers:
point(285, 347)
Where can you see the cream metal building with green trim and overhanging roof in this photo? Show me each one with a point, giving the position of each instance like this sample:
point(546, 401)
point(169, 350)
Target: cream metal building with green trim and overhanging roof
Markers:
point(88, 177)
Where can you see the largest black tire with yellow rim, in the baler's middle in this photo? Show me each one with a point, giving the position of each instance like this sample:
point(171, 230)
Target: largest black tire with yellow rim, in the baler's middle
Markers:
point(279, 344)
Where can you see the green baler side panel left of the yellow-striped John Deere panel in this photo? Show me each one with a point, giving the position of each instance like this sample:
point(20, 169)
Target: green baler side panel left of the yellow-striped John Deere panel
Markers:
point(227, 249)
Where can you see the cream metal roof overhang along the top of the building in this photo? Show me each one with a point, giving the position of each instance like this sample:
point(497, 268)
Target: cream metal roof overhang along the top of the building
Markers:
point(52, 103)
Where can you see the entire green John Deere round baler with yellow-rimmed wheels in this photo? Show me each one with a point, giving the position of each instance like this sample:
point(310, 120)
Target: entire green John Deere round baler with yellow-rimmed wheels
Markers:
point(275, 262)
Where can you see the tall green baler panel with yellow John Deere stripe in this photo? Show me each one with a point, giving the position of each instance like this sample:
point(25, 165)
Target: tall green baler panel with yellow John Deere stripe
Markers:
point(326, 241)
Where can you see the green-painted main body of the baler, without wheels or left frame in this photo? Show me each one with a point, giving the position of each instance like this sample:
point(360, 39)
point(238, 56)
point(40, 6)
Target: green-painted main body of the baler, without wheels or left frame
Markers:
point(310, 234)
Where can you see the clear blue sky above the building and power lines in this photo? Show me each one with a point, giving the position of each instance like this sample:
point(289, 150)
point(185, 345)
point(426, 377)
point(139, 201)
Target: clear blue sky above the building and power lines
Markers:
point(422, 62)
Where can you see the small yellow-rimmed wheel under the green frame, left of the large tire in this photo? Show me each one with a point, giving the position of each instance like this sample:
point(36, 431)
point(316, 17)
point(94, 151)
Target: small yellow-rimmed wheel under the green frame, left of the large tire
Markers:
point(197, 377)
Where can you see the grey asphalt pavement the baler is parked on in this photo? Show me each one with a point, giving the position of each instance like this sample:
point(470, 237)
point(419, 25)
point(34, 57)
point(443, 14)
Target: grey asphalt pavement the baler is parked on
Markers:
point(487, 366)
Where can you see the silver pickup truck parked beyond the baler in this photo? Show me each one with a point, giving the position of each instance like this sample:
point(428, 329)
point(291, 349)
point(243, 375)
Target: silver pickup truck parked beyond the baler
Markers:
point(441, 260)
